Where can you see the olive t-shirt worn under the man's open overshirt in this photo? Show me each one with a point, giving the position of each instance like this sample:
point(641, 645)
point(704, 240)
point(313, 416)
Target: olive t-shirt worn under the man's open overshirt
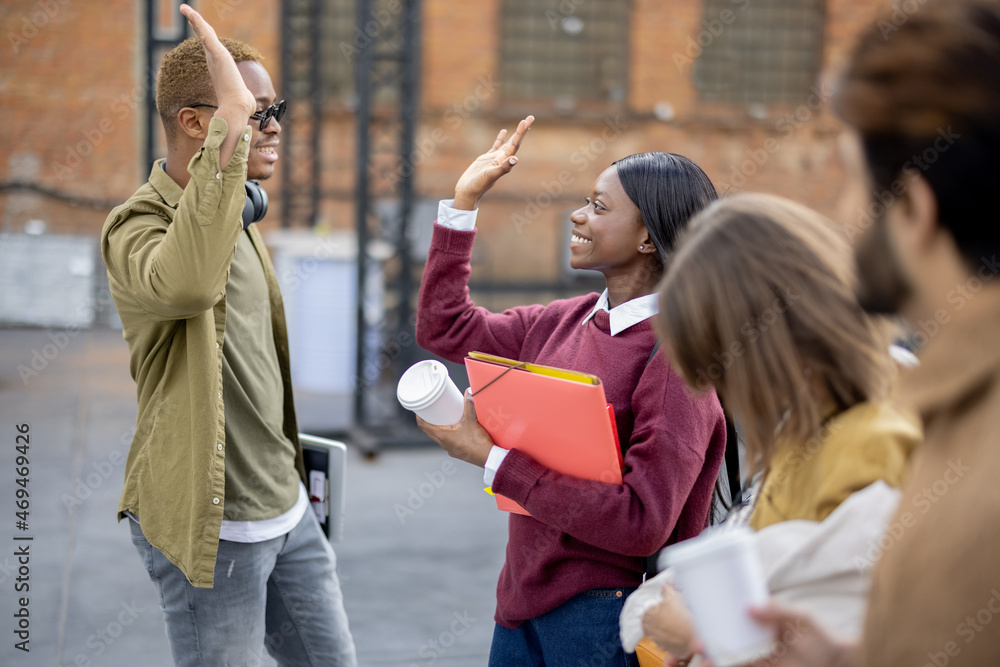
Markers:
point(261, 479)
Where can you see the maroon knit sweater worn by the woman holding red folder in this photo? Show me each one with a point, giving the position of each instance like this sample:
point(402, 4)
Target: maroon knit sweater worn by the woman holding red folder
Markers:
point(582, 534)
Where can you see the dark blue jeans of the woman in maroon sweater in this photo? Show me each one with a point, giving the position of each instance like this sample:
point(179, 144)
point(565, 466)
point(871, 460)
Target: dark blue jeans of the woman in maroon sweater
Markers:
point(582, 632)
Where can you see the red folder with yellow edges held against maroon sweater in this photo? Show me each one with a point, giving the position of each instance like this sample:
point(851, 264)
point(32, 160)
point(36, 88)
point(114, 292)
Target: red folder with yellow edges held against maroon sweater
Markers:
point(560, 418)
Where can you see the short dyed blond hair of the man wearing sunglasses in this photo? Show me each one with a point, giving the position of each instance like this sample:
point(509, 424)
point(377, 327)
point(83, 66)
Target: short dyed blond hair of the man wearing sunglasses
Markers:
point(183, 77)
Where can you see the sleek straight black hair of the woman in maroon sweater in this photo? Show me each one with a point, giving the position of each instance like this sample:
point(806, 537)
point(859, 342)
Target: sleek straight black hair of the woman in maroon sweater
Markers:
point(668, 189)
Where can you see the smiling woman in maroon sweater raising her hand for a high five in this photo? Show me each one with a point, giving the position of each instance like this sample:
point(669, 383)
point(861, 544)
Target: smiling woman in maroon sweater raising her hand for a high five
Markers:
point(571, 564)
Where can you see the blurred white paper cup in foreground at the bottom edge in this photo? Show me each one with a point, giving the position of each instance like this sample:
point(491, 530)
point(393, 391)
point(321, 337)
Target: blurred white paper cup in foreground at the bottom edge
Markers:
point(719, 577)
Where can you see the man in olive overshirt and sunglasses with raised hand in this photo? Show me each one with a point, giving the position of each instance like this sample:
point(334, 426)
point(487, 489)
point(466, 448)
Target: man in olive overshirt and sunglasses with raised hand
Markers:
point(214, 479)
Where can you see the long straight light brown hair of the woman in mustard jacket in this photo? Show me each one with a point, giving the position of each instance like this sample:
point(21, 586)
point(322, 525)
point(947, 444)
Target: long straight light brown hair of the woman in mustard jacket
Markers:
point(759, 302)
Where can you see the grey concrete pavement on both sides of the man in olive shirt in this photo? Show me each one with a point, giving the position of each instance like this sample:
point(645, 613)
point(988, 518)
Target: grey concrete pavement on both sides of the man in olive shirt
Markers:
point(419, 561)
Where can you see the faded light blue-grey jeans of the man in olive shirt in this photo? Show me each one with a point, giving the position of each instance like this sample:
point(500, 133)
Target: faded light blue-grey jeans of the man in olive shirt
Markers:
point(283, 594)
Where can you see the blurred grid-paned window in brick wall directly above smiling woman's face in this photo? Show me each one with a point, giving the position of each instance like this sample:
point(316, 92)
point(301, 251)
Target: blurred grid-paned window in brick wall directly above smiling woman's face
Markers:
point(564, 51)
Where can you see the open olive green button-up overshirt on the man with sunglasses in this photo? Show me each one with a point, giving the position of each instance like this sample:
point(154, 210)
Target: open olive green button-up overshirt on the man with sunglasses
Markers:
point(168, 253)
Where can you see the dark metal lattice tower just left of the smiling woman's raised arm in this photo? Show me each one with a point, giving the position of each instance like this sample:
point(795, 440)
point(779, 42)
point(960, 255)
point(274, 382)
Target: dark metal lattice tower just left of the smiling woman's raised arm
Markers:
point(386, 80)
